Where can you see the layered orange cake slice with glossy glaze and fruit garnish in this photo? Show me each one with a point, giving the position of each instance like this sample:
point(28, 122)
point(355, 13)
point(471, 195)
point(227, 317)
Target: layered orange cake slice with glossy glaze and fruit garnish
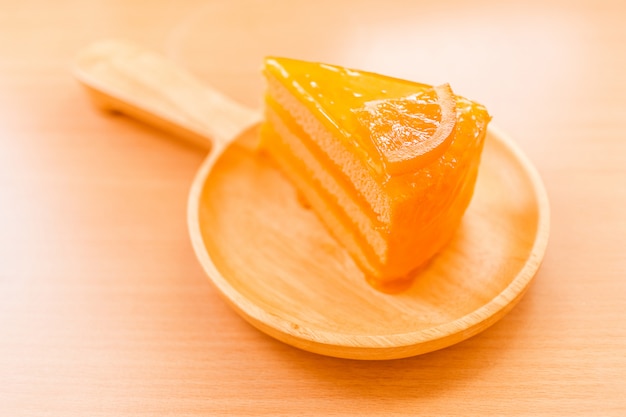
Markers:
point(388, 165)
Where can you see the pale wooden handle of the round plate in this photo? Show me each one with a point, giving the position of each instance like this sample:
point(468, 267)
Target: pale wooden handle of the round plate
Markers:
point(124, 77)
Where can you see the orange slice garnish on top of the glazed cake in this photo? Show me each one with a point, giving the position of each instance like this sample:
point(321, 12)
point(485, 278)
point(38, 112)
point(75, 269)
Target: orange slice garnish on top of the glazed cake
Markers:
point(410, 132)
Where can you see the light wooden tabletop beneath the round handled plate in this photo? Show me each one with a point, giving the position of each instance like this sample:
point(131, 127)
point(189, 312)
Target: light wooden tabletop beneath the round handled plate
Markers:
point(104, 309)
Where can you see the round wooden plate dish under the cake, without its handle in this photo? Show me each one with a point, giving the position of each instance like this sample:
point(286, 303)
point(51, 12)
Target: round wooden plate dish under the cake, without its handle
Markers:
point(274, 261)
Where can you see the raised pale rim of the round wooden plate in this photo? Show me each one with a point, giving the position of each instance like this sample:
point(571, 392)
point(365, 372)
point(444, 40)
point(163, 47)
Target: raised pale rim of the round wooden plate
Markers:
point(380, 346)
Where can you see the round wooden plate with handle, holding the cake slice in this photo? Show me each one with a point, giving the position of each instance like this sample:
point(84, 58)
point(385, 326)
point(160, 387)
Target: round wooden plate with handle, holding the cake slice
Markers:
point(277, 266)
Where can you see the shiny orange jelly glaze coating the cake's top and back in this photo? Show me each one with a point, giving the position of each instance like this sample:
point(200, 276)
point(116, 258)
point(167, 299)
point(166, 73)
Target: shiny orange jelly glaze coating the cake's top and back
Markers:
point(426, 205)
